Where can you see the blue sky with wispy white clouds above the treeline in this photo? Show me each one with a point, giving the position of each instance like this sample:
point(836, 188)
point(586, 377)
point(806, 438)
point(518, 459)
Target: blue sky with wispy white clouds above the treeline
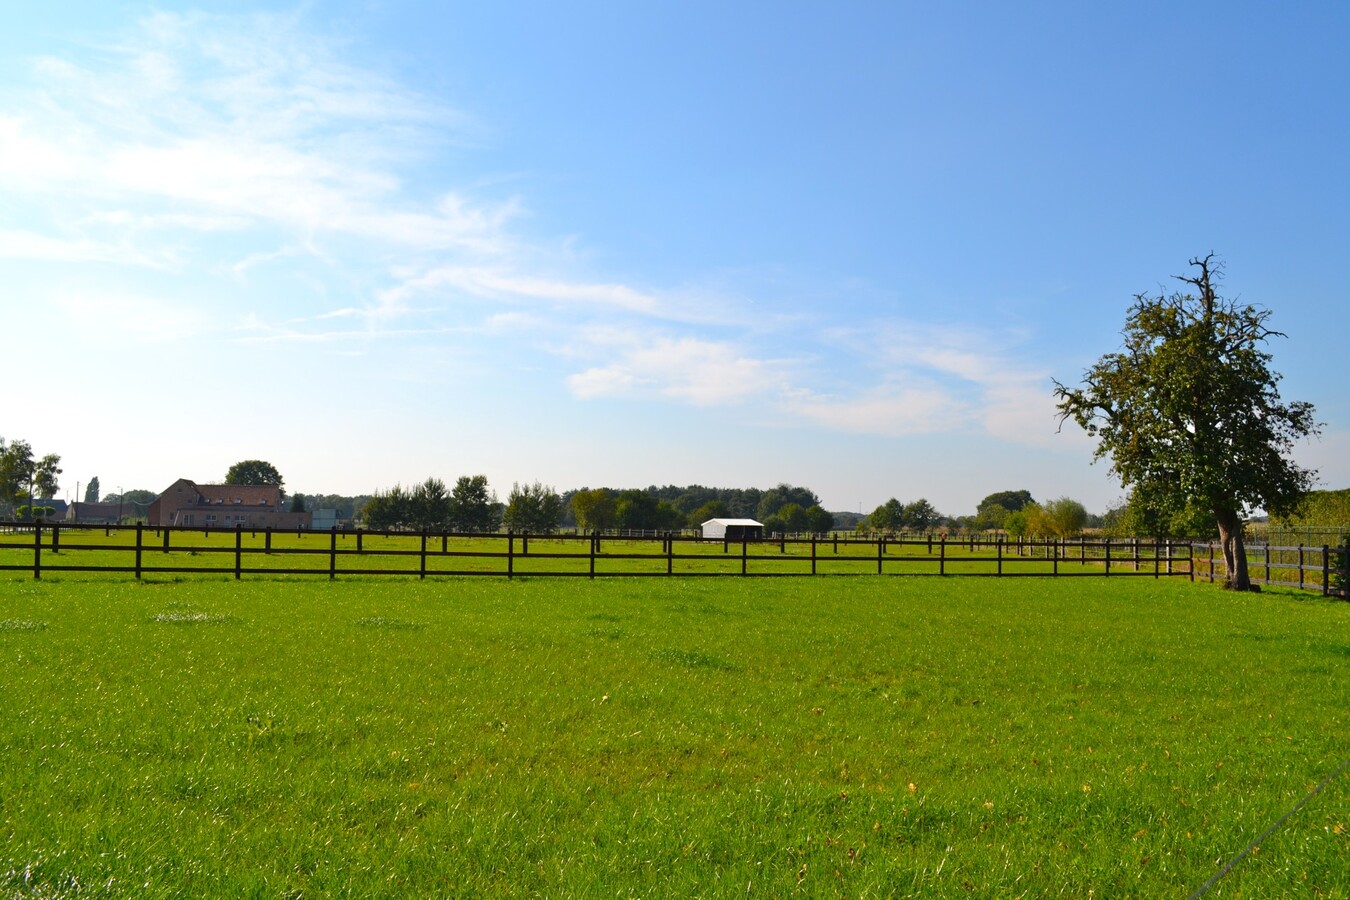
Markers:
point(846, 246)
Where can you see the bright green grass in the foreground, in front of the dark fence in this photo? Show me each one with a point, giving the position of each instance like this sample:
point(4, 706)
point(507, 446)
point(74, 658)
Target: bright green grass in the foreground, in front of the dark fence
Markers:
point(653, 737)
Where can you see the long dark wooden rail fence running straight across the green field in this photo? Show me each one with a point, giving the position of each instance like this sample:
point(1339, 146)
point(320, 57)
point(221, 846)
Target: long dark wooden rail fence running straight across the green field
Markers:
point(141, 550)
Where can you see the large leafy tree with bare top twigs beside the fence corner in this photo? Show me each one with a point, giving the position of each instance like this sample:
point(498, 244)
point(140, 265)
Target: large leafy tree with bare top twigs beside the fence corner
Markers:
point(1190, 414)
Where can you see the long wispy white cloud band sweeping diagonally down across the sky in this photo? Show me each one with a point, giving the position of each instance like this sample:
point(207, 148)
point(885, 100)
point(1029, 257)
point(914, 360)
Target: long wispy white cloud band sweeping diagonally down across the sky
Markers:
point(248, 150)
